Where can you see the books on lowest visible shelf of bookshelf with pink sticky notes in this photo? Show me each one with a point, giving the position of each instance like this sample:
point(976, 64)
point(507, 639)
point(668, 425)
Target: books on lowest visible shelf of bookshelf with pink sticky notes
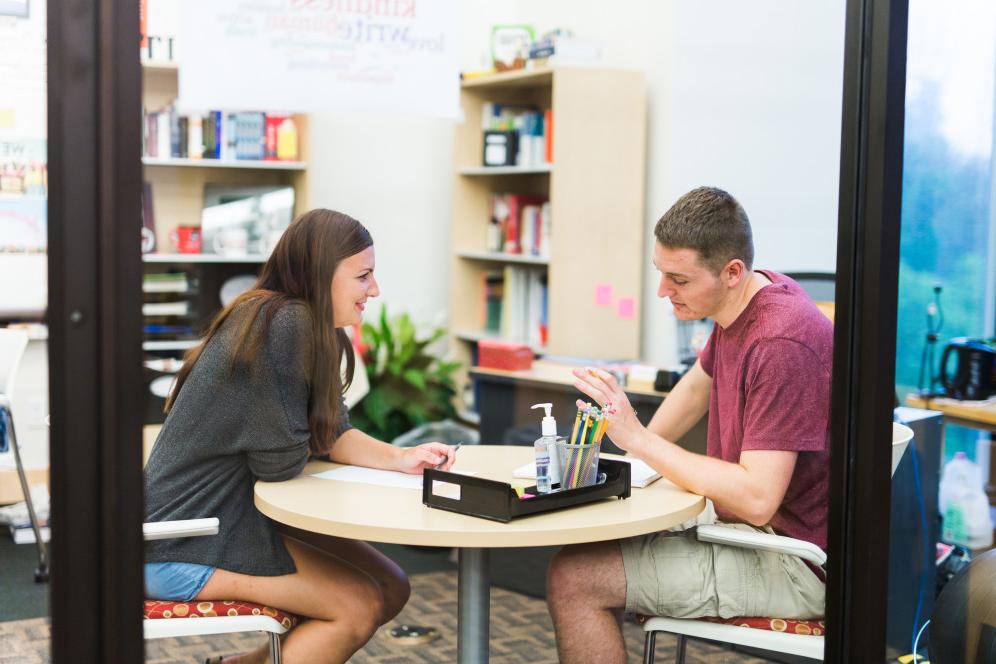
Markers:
point(515, 305)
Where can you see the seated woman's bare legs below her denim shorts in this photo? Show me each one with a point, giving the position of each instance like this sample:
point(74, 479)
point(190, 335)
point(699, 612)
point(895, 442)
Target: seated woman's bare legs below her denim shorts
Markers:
point(340, 606)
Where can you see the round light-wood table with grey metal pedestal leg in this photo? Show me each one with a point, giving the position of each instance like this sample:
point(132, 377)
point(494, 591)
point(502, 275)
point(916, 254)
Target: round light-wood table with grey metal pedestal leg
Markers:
point(397, 516)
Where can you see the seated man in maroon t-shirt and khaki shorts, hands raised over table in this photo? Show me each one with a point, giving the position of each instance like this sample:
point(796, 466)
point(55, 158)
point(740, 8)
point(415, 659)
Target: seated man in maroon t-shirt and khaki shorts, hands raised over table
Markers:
point(764, 378)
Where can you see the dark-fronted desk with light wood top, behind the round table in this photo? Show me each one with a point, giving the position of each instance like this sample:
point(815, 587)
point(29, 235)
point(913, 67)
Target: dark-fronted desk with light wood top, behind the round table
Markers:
point(505, 398)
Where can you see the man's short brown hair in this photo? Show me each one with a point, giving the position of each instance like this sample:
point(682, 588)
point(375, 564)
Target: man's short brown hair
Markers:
point(712, 222)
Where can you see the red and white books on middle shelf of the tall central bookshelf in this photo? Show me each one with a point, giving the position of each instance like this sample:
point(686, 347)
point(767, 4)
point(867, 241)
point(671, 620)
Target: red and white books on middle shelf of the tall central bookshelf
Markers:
point(520, 224)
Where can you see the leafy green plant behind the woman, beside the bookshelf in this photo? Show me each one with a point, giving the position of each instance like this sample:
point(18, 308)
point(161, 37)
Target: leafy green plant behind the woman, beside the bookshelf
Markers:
point(408, 386)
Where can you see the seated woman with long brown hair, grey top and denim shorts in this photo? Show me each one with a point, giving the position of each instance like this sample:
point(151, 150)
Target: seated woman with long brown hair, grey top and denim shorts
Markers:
point(260, 395)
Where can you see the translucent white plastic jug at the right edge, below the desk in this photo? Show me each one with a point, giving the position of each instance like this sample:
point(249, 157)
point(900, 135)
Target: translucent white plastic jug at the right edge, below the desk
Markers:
point(963, 505)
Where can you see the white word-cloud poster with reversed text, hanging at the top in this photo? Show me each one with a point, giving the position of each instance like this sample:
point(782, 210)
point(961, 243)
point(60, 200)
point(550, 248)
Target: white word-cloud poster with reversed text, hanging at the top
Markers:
point(395, 57)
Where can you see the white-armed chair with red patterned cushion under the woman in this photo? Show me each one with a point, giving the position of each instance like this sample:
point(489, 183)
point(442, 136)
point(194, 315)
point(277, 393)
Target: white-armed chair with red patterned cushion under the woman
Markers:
point(166, 619)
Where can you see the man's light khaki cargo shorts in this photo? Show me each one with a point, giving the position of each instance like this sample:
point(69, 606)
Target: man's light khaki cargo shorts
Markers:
point(673, 574)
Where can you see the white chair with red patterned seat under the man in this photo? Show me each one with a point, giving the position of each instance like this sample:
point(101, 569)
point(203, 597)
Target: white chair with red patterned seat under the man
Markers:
point(794, 637)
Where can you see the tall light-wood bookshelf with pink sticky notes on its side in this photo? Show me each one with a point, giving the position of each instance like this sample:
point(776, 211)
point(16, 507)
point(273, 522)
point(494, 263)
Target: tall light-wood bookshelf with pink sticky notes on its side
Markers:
point(595, 186)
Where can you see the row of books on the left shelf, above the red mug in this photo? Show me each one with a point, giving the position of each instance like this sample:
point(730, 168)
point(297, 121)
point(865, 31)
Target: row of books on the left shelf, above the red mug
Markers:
point(220, 135)
